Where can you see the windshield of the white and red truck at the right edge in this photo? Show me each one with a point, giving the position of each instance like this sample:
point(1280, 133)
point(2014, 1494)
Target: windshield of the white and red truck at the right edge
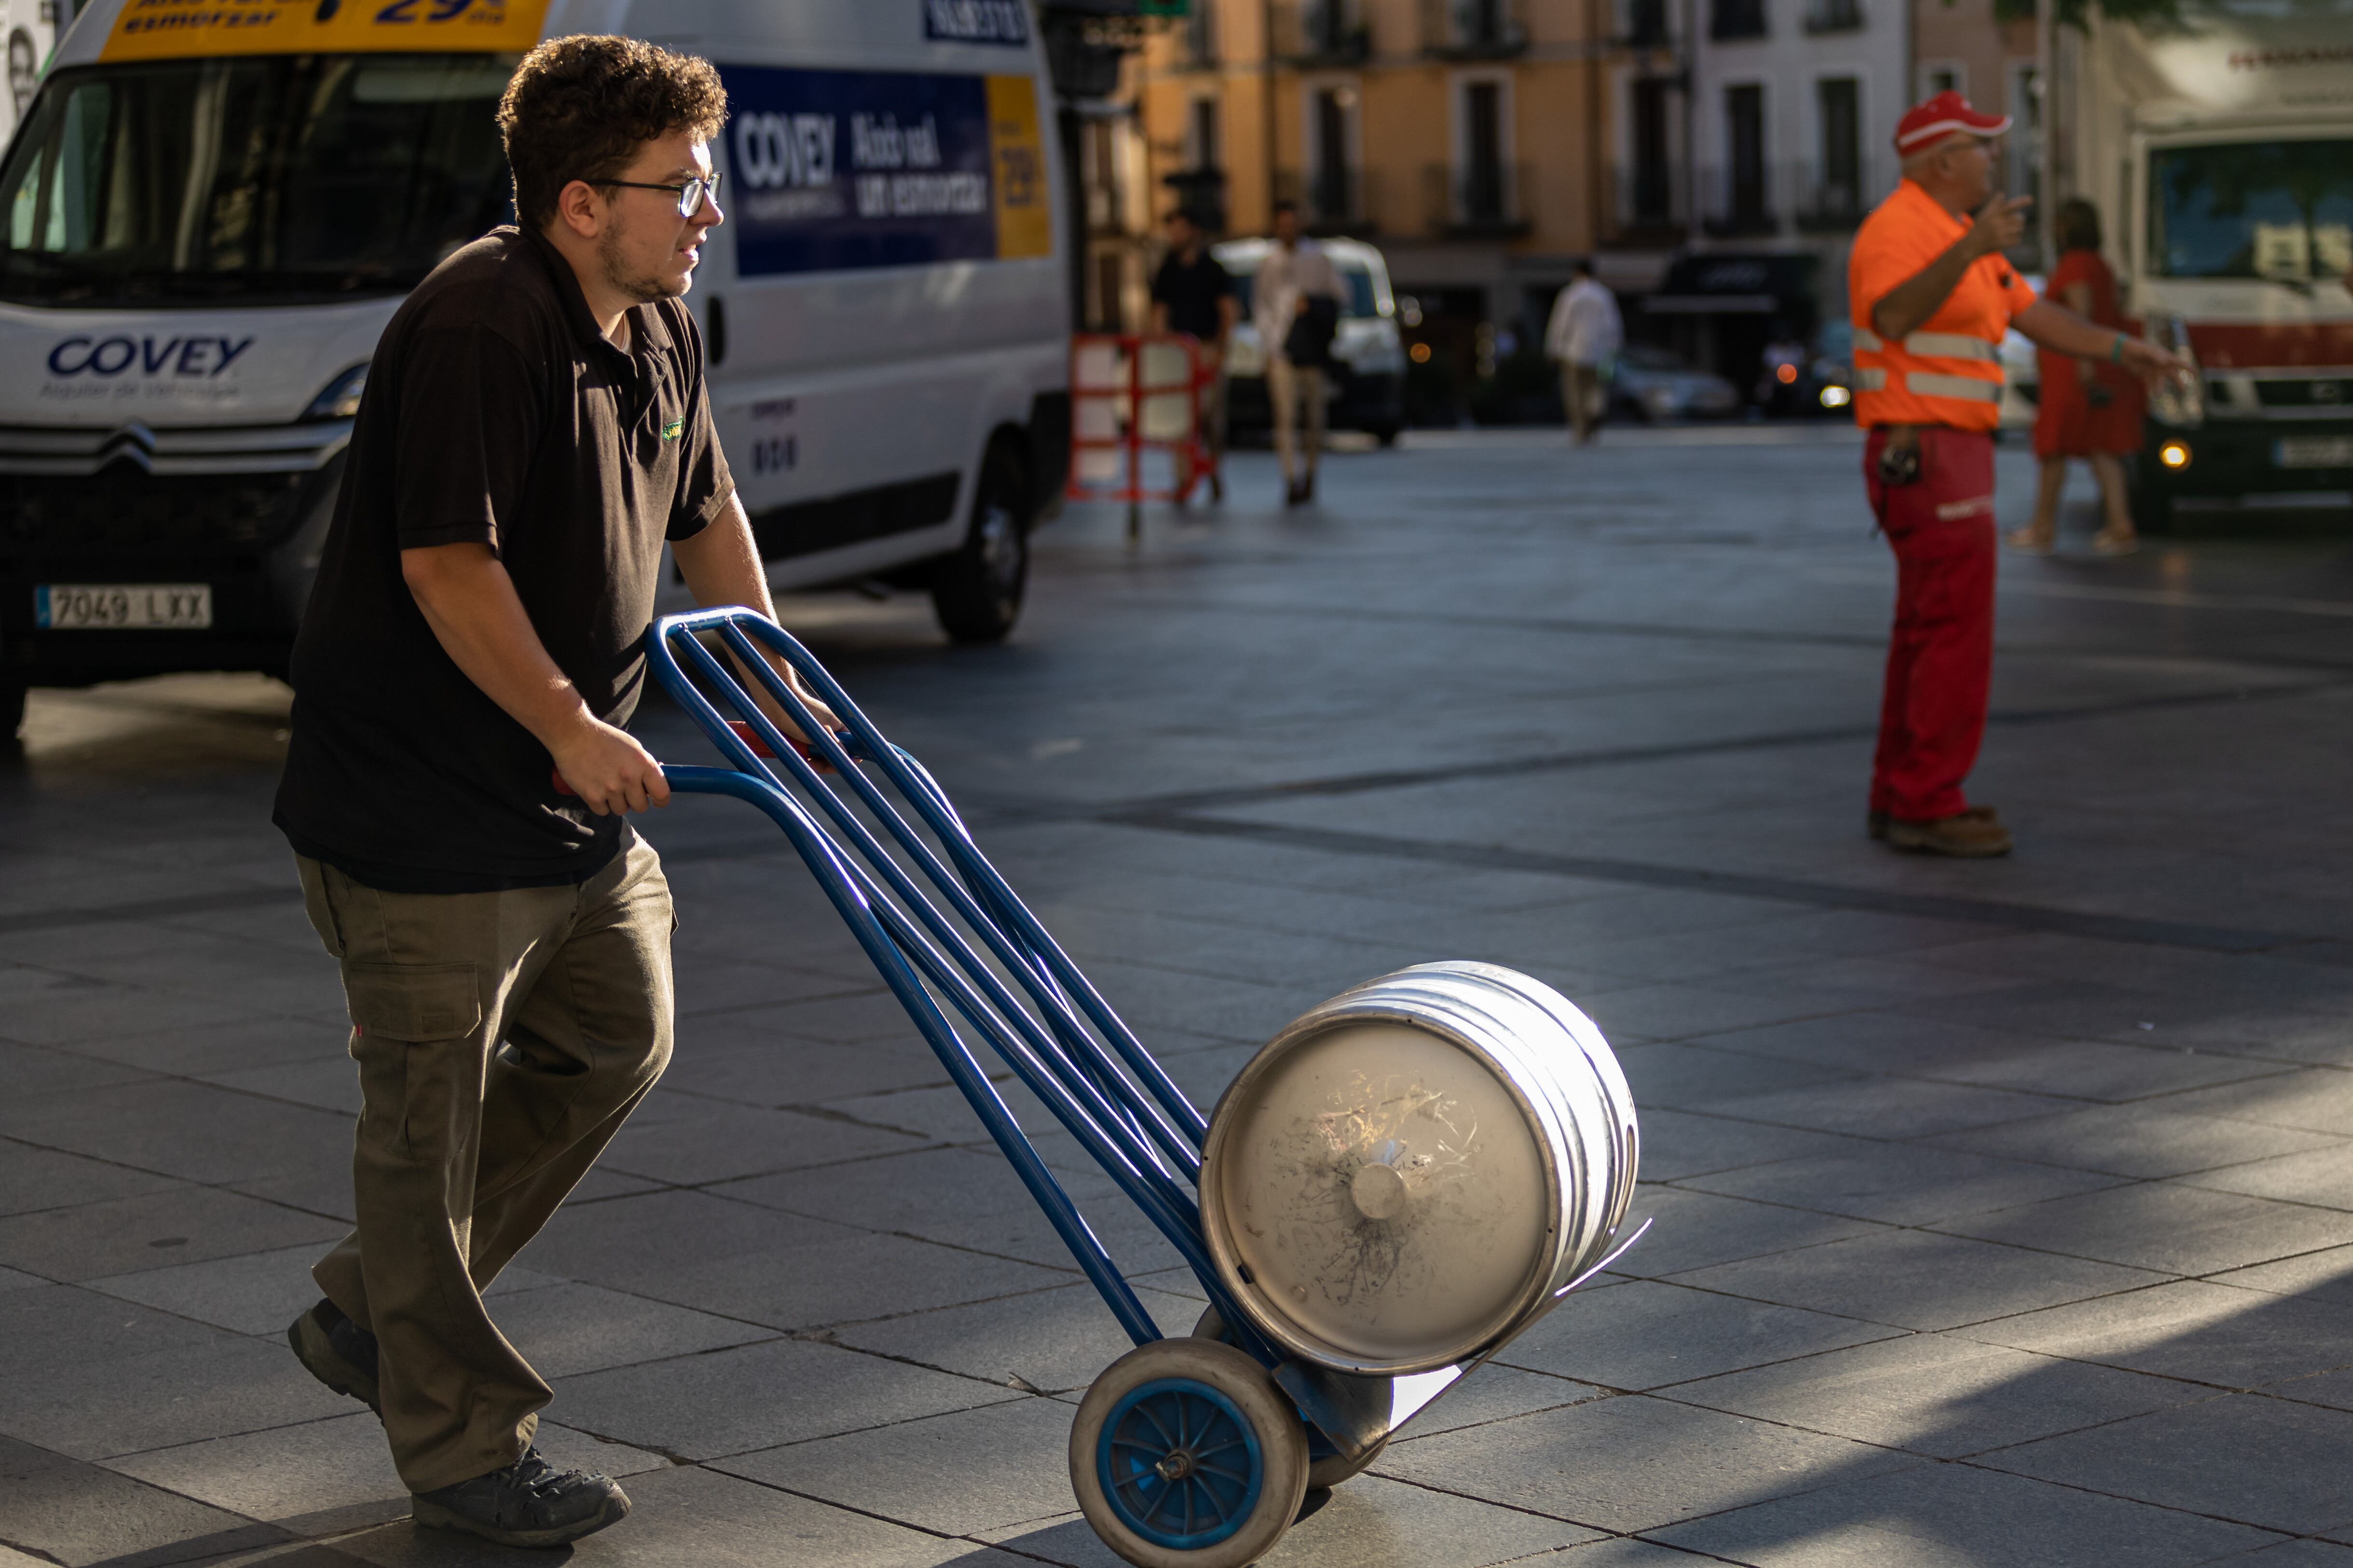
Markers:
point(2253, 211)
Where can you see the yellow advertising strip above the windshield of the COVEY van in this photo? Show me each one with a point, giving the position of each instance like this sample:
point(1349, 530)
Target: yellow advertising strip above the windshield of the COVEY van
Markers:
point(182, 29)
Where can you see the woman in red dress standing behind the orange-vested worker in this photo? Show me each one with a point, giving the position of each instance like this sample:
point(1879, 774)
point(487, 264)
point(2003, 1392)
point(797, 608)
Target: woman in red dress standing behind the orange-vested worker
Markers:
point(2086, 408)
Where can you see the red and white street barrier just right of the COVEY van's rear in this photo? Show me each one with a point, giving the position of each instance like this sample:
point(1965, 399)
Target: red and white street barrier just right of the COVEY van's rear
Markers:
point(1135, 418)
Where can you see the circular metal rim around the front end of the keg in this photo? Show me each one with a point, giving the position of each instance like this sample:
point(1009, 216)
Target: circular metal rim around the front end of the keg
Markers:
point(1359, 1006)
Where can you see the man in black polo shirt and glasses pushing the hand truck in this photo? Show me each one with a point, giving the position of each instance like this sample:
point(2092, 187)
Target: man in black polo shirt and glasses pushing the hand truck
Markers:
point(535, 427)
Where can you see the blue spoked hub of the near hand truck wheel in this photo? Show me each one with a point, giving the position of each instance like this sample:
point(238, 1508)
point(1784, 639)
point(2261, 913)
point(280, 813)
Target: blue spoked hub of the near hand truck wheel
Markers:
point(1180, 1463)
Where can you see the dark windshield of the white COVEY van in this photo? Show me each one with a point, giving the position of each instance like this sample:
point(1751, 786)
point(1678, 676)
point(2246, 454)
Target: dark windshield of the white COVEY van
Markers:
point(272, 180)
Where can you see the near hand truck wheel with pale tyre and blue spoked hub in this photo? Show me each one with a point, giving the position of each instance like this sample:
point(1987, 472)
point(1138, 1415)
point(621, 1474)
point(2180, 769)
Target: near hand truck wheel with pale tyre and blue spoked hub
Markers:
point(1187, 1456)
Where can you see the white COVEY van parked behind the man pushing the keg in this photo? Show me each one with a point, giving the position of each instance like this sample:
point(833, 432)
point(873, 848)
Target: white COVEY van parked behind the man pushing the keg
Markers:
point(213, 213)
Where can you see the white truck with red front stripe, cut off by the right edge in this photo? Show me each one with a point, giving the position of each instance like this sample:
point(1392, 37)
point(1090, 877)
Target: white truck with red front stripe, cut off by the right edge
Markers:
point(2220, 154)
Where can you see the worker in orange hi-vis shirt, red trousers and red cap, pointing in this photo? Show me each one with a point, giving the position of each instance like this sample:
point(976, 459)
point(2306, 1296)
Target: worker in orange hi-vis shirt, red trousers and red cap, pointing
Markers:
point(1933, 298)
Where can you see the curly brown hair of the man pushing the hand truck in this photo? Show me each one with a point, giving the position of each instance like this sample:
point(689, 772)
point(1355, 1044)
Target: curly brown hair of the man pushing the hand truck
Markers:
point(582, 107)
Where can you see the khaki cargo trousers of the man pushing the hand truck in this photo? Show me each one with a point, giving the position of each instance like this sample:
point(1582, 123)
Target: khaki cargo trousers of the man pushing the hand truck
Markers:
point(502, 1042)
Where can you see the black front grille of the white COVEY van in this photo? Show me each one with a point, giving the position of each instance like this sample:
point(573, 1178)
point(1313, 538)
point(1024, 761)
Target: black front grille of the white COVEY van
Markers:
point(128, 512)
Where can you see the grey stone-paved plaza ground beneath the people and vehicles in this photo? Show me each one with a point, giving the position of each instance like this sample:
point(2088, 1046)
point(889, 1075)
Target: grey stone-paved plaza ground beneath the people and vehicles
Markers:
point(2004, 1211)
